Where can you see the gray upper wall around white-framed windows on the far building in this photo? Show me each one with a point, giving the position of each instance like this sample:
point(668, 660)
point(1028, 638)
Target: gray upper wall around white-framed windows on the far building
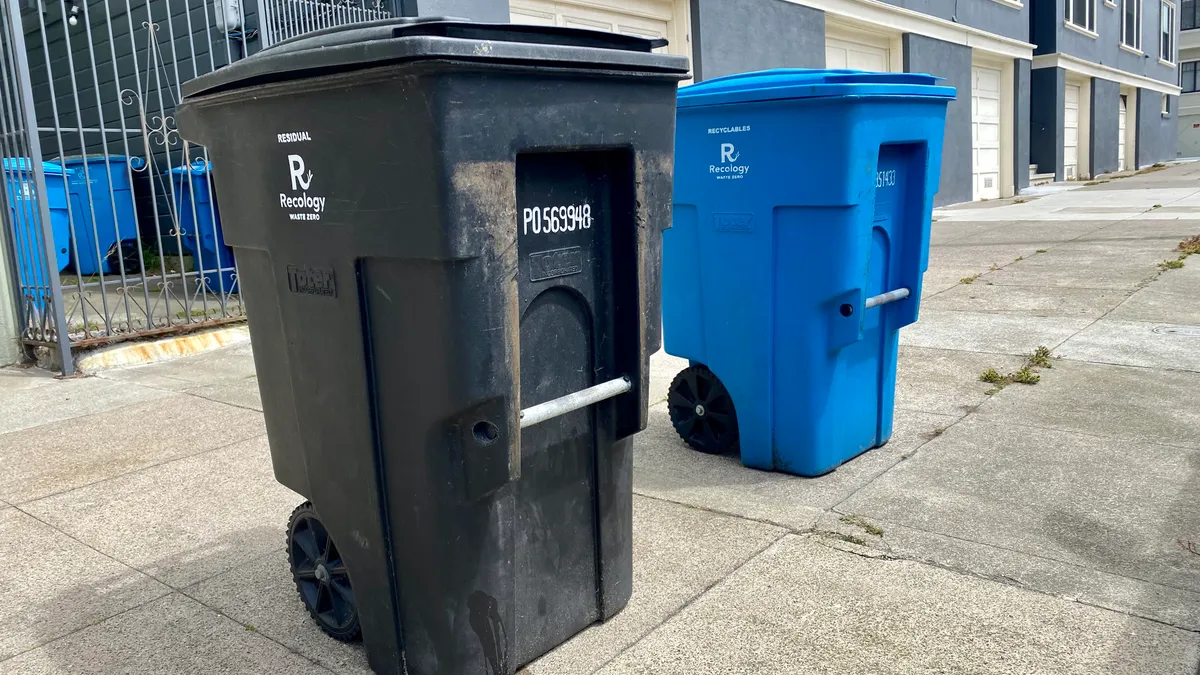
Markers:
point(1052, 35)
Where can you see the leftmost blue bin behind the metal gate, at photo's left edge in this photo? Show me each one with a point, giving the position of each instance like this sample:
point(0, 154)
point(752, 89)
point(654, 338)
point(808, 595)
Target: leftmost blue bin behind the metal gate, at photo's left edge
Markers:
point(26, 219)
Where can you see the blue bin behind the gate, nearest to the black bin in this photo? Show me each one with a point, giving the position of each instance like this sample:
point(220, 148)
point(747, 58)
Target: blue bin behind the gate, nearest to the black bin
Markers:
point(194, 188)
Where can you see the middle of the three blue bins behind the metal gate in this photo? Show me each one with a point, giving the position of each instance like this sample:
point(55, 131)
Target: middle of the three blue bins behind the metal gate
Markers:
point(101, 210)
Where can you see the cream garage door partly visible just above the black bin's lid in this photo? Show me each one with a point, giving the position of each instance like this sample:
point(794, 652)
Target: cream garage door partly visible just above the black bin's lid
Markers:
point(644, 19)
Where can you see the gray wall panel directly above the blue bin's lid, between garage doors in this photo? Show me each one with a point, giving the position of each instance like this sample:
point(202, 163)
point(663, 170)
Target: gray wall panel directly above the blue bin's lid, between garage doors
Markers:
point(734, 37)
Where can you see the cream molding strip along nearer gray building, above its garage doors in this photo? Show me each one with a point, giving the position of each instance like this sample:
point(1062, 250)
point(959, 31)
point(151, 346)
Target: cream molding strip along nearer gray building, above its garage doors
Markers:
point(898, 20)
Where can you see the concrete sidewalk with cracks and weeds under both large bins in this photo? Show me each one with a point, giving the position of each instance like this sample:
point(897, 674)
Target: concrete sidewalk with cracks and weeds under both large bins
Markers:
point(1019, 529)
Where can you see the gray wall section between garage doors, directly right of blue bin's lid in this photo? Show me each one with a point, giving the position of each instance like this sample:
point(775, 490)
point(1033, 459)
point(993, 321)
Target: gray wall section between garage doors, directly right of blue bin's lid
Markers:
point(953, 63)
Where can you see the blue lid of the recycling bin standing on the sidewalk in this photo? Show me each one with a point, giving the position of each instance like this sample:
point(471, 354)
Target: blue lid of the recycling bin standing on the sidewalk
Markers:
point(805, 83)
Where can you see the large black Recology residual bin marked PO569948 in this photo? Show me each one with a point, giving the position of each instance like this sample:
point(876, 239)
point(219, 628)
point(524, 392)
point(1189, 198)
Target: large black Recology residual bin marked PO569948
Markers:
point(439, 225)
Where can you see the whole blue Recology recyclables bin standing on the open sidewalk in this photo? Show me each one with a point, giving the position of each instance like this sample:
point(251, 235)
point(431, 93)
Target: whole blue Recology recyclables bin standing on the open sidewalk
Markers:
point(802, 201)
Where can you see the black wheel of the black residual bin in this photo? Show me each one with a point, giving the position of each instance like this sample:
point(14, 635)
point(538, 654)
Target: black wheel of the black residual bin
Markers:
point(321, 576)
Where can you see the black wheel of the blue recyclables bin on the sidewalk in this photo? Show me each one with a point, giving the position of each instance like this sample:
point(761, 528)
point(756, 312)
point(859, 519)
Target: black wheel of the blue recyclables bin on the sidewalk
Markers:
point(703, 411)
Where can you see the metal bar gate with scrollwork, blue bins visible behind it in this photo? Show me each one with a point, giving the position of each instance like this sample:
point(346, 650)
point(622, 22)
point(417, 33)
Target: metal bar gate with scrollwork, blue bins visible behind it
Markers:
point(110, 218)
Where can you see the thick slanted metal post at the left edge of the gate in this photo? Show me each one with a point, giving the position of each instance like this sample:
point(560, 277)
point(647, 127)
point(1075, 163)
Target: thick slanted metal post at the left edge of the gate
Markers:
point(25, 85)
